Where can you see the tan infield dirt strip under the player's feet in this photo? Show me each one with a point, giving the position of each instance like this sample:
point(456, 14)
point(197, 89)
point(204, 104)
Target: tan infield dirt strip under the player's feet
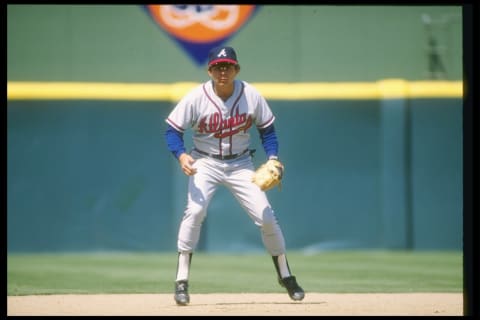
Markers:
point(396, 304)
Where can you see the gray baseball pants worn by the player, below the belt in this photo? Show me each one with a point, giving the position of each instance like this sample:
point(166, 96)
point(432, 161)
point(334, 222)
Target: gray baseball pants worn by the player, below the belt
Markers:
point(236, 175)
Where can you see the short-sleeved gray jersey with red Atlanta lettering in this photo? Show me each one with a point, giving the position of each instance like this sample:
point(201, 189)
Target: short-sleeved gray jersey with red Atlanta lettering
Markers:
point(221, 127)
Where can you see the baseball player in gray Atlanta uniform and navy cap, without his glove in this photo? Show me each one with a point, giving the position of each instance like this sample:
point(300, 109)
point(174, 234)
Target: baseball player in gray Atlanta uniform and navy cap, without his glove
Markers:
point(221, 111)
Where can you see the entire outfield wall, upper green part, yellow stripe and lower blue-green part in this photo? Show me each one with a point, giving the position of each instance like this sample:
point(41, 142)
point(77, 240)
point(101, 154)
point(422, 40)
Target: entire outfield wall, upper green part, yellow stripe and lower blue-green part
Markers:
point(369, 163)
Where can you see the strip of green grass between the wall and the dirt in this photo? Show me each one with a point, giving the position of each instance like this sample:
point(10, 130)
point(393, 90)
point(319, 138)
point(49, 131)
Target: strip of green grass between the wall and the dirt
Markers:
point(335, 272)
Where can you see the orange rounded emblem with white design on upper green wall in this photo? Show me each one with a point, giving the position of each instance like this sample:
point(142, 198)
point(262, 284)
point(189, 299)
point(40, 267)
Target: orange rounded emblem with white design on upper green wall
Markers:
point(201, 23)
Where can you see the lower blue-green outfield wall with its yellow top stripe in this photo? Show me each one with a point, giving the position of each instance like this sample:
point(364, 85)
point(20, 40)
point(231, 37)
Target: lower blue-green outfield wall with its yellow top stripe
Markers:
point(383, 170)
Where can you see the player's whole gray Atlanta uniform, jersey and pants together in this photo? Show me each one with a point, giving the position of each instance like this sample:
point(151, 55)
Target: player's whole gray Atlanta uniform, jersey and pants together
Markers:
point(221, 128)
